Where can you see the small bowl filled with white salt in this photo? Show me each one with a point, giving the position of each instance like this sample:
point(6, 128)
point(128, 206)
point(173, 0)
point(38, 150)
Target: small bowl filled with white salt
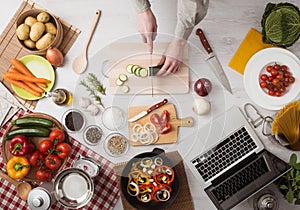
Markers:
point(113, 118)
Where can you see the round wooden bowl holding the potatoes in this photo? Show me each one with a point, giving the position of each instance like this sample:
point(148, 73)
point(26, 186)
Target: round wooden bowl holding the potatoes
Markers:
point(58, 37)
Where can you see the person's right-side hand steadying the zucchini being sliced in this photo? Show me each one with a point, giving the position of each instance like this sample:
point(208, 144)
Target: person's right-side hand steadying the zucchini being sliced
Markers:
point(172, 58)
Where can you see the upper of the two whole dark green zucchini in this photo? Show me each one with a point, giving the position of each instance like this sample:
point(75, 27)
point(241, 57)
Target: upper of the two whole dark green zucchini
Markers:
point(33, 121)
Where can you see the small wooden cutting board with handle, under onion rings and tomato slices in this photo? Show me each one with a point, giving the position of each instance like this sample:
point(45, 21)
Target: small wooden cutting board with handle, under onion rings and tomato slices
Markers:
point(167, 138)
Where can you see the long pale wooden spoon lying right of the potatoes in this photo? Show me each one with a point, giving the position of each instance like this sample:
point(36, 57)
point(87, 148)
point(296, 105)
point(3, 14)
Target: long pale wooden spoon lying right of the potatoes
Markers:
point(80, 62)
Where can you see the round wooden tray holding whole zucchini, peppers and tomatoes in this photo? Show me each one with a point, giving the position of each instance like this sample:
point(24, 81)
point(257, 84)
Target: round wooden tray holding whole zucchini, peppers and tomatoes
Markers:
point(35, 141)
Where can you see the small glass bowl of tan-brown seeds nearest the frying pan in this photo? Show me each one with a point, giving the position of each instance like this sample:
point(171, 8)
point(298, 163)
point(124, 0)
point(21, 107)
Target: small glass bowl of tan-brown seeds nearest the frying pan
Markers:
point(116, 144)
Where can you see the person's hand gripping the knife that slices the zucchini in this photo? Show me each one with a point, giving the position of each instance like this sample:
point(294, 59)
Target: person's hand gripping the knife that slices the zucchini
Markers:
point(147, 26)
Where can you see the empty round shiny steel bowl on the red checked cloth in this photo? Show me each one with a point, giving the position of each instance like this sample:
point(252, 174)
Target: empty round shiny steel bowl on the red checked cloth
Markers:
point(73, 188)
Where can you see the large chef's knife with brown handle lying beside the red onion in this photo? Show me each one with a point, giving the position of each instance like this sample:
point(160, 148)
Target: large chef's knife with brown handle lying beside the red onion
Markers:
point(213, 61)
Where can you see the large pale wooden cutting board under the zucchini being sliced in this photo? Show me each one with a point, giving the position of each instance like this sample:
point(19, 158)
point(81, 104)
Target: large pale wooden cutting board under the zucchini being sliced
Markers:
point(122, 54)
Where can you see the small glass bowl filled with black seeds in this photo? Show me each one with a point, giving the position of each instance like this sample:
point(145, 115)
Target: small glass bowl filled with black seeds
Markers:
point(73, 120)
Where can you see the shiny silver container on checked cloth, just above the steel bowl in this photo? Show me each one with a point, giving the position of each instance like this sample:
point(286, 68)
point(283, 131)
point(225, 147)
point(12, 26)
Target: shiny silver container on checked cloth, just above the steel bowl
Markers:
point(88, 164)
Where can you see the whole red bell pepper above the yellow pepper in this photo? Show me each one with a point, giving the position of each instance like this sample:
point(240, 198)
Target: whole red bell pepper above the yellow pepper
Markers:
point(20, 146)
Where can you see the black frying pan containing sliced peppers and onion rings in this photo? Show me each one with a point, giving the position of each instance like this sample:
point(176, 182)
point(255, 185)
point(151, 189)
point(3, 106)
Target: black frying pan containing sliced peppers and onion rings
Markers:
point(151, 204)
